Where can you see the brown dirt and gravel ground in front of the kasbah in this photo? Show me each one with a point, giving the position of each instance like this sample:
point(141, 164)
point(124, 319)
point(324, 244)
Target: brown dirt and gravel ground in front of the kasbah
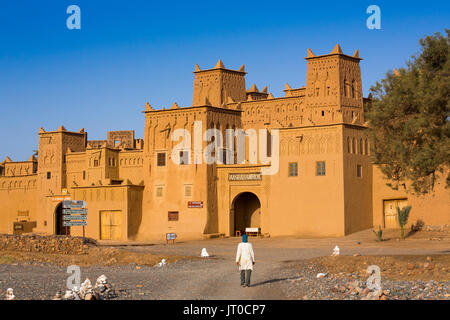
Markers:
point(286, 268)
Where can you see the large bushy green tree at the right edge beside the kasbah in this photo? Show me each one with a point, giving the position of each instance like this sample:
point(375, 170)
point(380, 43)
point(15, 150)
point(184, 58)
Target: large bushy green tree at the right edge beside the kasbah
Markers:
point(408, 113)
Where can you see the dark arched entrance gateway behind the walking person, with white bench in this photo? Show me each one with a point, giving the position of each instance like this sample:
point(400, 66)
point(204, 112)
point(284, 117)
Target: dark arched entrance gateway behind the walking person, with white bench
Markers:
point(246, 212)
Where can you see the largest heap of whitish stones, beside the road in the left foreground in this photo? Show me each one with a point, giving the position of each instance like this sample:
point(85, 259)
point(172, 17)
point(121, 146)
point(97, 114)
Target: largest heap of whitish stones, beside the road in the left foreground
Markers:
point(102, 290)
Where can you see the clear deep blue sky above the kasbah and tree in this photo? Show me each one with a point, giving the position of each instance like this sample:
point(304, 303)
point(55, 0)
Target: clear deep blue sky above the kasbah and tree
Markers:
point(130, 52)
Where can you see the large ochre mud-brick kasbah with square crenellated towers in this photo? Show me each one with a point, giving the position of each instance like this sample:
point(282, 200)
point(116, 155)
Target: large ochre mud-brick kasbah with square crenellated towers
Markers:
point(326, 185)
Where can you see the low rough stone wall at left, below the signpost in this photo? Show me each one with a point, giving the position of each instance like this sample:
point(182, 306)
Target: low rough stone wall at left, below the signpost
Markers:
point(45, 244)
